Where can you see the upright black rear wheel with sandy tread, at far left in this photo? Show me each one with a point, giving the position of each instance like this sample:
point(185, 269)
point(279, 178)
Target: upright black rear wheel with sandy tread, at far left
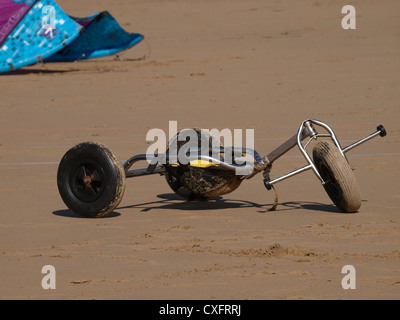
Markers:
point(91, 180)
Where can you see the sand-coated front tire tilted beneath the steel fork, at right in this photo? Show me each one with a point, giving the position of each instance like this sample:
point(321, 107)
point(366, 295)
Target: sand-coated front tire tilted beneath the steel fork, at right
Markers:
point(341, 184)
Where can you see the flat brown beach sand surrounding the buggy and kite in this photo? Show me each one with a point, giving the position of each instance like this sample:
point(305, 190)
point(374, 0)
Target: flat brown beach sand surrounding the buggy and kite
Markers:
point(264, 65)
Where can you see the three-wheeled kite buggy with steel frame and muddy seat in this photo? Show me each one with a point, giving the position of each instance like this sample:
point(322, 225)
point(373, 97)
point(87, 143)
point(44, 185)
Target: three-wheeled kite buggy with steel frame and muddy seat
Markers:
point(91, 180)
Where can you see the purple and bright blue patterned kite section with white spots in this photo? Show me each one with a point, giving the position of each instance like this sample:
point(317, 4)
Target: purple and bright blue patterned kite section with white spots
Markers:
point(31, 31)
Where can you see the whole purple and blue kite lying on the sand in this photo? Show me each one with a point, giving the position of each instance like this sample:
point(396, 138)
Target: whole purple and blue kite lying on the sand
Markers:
point(34, 31)
